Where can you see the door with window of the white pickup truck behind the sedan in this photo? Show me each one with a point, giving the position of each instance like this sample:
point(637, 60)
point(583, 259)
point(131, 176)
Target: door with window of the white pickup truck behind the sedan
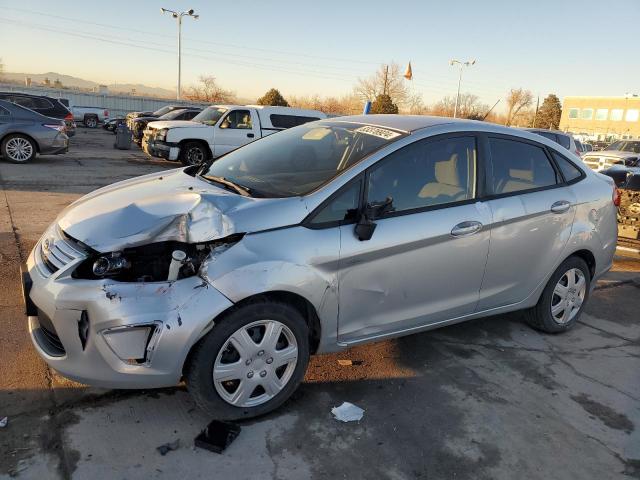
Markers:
point(236, 128)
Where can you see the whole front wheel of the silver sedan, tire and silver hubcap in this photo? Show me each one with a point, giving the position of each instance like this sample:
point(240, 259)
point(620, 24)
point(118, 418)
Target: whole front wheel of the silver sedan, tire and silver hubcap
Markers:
point(250, 362)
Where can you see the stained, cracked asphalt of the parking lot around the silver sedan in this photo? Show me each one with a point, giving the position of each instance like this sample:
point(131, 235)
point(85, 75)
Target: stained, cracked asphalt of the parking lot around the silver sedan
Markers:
point(490, 398)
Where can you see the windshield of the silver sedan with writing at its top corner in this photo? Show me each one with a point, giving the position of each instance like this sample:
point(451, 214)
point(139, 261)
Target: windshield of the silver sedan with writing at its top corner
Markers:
point(296, 161)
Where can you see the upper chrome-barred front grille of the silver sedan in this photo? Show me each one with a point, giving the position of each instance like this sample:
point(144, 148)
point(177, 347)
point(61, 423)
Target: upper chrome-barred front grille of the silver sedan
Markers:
point(56, 250)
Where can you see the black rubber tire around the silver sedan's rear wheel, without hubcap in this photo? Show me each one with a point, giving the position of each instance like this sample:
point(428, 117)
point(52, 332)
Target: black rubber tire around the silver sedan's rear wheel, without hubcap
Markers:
point(540, 317)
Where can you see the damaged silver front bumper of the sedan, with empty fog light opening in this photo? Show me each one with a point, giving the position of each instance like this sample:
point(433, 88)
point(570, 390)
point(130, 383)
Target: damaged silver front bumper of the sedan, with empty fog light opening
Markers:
point(116, 335)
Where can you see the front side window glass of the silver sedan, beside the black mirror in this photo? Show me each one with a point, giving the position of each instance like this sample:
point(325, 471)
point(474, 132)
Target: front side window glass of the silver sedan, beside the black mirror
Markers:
point(425, 173)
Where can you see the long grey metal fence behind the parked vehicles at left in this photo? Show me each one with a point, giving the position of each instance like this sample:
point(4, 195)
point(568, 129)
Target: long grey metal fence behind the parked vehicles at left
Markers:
point(118, 105)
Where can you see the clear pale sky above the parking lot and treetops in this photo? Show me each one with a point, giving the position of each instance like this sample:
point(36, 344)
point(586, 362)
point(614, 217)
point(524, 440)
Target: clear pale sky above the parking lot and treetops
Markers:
point(566, 47)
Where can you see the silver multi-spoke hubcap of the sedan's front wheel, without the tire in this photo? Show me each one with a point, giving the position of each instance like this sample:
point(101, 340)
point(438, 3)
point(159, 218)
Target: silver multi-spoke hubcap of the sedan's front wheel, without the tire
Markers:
point(255, 363)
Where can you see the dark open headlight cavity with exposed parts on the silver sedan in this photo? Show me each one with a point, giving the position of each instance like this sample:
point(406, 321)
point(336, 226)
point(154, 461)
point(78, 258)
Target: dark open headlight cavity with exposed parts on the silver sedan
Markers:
point(156, 262)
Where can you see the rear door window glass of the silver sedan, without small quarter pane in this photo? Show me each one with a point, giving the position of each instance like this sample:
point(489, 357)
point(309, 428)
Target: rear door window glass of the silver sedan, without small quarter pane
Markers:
point(519, 166)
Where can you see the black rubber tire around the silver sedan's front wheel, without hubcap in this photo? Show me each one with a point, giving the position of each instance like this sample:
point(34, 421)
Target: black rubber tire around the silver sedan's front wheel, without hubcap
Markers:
point(199, 368)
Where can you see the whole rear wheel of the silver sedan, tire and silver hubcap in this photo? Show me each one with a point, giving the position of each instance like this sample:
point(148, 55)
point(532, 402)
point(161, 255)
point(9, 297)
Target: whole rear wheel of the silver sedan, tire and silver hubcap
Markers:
point(563, 299)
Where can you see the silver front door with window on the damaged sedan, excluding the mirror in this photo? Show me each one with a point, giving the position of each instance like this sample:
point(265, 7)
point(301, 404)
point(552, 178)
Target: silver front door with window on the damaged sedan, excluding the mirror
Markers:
point(425, 261)
